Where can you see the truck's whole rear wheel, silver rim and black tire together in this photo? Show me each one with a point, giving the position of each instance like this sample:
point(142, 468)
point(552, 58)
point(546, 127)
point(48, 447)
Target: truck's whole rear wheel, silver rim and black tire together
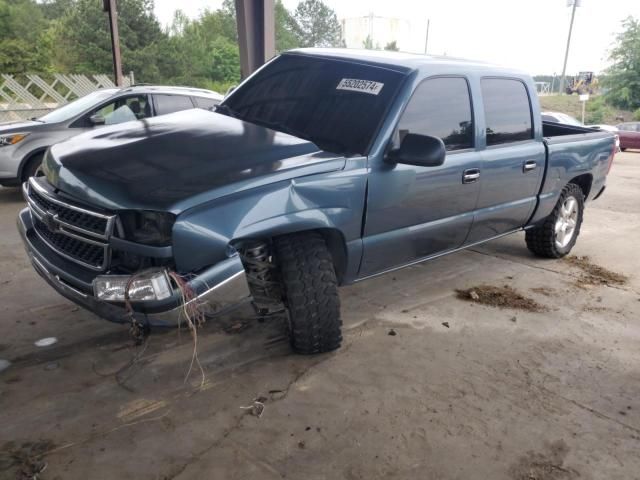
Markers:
point(558, 234)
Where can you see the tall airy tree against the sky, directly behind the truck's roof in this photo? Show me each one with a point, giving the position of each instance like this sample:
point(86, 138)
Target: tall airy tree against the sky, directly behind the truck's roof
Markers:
point(319, 26)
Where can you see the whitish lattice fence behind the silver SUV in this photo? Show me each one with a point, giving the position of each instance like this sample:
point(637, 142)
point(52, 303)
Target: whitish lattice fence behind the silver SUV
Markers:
point(27, 96)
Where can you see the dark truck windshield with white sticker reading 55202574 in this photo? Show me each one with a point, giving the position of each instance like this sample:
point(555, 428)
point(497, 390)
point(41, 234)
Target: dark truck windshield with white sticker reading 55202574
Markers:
point(335, 104)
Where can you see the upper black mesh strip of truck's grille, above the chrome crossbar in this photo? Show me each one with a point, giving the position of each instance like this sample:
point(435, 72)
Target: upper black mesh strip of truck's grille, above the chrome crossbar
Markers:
point(74, 217)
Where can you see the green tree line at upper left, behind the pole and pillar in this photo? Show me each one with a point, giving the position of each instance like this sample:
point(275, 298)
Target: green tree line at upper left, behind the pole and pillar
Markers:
point(72, 36)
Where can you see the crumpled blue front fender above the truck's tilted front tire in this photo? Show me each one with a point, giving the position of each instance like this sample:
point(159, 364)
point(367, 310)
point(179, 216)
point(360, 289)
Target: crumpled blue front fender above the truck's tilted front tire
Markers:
point(332, 200)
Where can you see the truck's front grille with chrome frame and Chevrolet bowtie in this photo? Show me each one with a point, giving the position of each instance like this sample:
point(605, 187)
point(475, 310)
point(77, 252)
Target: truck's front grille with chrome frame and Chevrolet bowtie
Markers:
point(73, 232)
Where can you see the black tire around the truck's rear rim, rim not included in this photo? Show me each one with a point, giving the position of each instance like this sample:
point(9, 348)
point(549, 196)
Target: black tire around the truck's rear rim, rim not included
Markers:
point(541, 240)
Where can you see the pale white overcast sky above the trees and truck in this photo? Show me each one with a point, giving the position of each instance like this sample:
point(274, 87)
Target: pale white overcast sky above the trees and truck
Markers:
point(529, 35)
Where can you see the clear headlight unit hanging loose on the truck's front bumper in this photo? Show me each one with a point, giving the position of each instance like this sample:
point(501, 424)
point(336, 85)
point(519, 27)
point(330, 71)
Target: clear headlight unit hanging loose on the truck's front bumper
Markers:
point(143, 287)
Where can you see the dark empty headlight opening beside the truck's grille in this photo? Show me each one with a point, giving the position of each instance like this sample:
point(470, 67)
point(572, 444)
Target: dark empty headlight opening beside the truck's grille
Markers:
point(148, 227)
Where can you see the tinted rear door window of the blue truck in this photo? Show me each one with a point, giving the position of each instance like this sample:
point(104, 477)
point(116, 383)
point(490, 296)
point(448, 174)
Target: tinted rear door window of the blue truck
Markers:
point(507, 111)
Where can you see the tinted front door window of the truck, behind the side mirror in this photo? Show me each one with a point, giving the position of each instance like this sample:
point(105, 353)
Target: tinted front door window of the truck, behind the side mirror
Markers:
point(440, 107)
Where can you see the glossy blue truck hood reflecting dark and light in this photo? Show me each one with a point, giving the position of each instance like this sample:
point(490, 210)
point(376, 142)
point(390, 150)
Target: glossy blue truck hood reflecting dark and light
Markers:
point(177, 161)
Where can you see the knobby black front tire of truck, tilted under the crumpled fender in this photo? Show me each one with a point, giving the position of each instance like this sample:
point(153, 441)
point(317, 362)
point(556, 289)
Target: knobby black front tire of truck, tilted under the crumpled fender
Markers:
point(310, 292)
